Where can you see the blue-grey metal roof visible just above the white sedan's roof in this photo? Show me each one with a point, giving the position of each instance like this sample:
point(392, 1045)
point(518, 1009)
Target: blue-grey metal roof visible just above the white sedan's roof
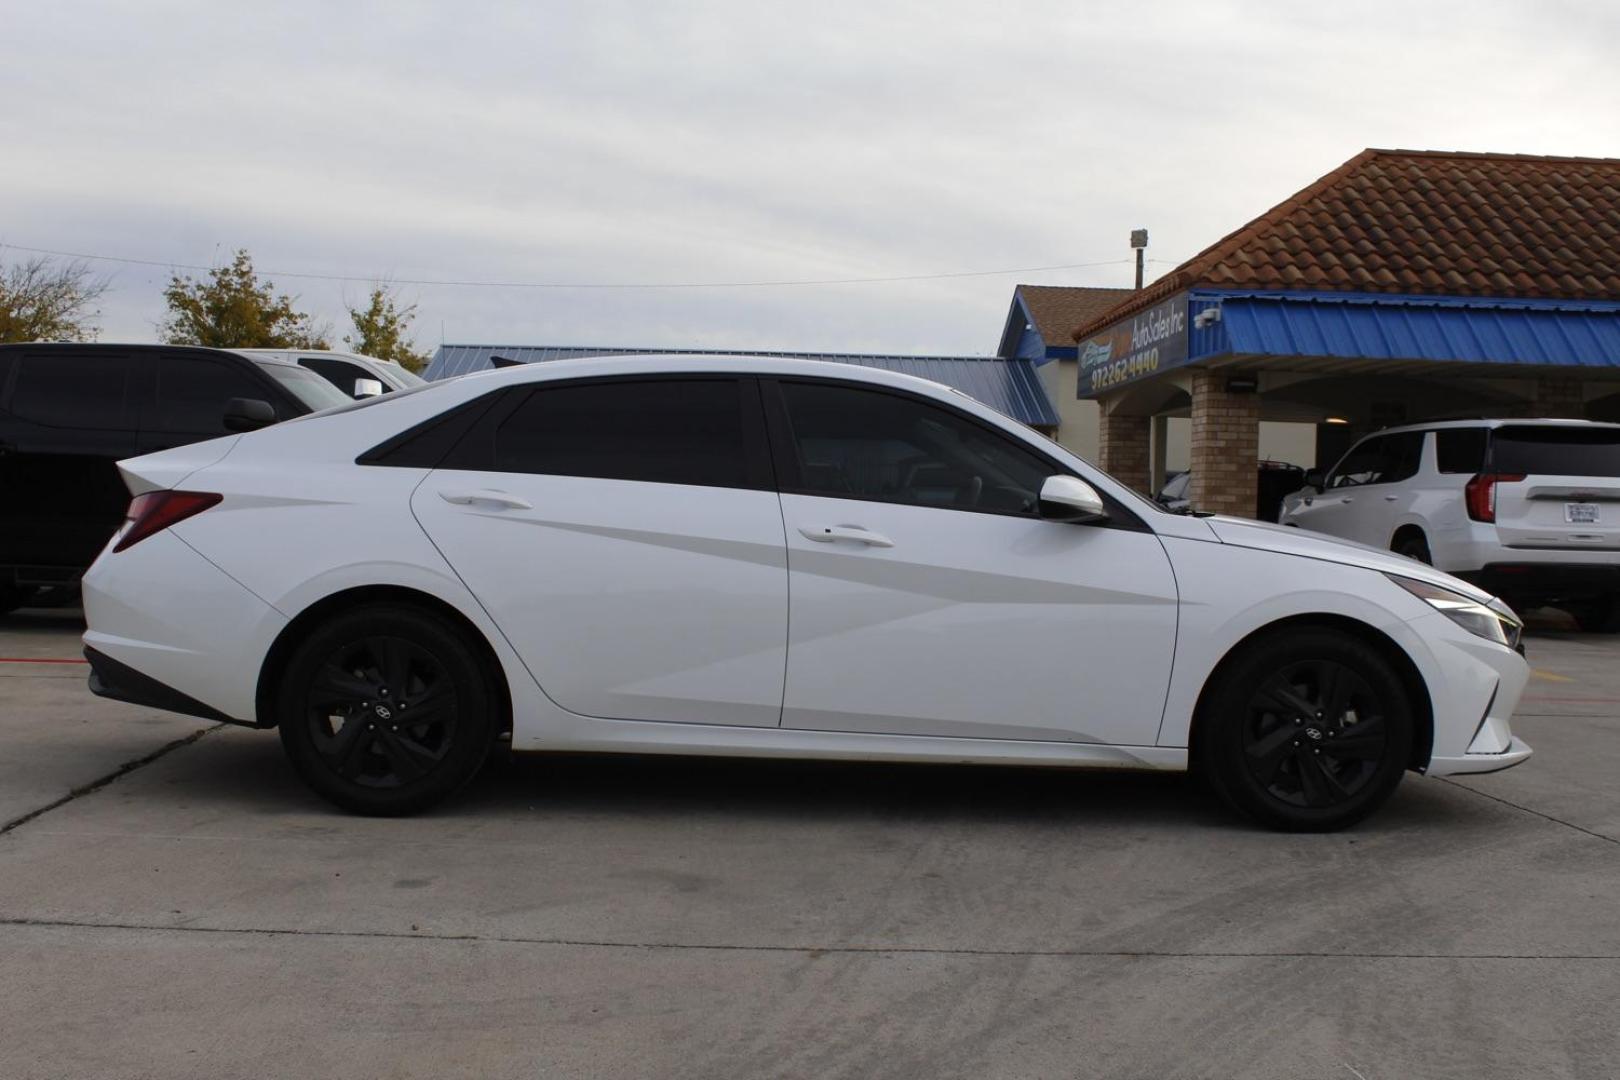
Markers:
point(1008, 386)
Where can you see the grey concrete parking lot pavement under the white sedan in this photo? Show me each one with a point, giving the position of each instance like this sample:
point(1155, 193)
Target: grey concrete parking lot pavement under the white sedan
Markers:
point(634, 917)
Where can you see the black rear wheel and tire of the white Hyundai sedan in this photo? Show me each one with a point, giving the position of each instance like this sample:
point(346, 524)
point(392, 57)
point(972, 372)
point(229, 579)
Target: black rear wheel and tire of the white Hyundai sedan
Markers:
point(347, 691)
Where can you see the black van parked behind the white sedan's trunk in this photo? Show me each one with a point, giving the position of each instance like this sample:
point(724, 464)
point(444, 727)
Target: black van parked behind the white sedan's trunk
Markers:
point(70, 412)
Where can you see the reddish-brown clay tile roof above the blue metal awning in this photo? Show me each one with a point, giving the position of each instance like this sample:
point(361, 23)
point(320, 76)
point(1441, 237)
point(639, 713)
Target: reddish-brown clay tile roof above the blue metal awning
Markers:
point(1423, 223)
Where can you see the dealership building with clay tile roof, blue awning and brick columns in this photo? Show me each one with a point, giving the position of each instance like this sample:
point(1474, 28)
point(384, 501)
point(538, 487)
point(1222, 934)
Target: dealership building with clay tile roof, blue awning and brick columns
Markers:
point(1400, 287)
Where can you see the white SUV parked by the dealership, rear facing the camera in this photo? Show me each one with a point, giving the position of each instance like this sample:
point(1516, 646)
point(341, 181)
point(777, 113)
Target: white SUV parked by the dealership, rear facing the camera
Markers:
point(1528, 509)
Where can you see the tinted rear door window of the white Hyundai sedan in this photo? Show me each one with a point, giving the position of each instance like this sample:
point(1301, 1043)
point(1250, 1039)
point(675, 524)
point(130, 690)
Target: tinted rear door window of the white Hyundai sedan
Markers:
point(663, 432)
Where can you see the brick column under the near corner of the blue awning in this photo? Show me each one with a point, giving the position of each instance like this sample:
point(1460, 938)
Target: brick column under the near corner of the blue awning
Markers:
point(1226, 448)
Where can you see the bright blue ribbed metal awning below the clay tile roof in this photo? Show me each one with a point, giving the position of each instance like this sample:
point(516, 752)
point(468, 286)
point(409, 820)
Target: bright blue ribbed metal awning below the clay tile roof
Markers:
point(1566, 334)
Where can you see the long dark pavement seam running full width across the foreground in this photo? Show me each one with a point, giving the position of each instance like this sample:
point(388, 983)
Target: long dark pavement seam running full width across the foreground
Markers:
point(812, 951)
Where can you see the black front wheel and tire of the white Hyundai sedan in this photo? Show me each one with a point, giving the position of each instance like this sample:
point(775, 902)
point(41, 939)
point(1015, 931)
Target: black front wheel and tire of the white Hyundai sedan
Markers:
point(1271, 747)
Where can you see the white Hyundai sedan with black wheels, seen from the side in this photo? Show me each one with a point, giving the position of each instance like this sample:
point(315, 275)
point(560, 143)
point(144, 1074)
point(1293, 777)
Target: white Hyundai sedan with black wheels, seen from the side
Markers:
point(770, 558)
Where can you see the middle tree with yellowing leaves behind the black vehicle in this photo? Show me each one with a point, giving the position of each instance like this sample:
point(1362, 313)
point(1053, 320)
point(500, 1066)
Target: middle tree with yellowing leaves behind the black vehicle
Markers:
point(234, 310)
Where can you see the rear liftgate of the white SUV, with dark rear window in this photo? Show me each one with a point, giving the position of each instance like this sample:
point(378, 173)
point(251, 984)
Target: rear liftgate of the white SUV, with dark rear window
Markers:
point(1559, 487)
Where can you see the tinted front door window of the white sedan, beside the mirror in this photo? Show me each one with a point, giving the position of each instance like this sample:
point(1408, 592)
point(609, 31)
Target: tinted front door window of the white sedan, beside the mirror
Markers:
point(868, 444)
